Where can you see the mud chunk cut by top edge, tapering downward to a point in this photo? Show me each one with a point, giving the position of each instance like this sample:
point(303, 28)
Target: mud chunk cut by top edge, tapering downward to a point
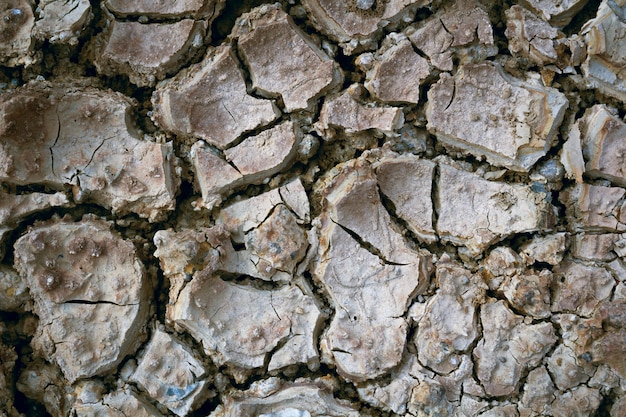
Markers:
point(353, 20)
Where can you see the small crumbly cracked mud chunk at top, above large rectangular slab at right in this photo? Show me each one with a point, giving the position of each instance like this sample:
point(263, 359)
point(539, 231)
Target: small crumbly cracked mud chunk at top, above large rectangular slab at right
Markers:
point(463, 30)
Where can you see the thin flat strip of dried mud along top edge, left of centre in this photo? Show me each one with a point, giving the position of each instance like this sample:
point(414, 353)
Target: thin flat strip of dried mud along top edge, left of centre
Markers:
point(165, 9)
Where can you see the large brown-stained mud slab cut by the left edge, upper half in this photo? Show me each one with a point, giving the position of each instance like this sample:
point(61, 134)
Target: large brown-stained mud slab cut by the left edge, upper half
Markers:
point(82, 137)
